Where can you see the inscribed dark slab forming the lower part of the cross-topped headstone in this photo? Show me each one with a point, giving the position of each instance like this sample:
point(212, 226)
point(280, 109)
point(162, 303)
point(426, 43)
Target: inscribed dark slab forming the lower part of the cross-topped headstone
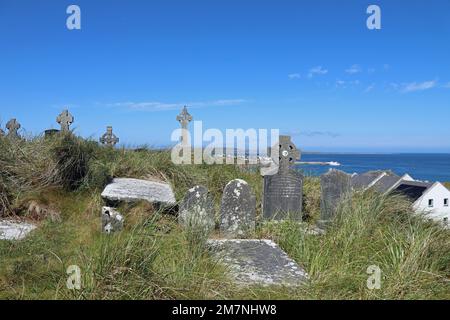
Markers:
point(283, 193)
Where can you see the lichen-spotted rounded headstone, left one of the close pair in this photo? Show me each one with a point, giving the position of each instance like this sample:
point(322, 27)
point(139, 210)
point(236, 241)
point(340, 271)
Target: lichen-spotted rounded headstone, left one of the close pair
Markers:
point(197, 210)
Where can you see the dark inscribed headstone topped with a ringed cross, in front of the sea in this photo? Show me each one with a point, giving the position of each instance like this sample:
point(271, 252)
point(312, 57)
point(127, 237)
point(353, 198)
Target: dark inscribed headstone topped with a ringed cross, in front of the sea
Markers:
point(283, 191)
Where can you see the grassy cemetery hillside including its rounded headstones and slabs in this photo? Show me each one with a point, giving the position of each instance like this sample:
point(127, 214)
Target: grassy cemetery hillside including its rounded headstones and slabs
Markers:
point(65, 188)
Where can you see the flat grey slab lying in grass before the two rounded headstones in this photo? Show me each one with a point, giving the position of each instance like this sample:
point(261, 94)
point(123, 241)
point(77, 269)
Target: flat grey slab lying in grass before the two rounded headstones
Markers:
point(257, 262)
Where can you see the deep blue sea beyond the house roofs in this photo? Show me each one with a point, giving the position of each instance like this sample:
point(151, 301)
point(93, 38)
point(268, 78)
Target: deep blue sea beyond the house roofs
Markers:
point(431, 167)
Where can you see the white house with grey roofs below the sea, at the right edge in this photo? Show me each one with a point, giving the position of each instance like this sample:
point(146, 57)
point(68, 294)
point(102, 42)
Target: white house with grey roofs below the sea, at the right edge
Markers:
point(429, 198)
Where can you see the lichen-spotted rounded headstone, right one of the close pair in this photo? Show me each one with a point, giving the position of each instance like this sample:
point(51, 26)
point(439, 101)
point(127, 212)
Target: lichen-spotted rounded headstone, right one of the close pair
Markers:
point(237, 213)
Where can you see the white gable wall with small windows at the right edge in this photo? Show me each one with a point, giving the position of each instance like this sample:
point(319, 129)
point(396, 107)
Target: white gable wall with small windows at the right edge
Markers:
point(439, 211)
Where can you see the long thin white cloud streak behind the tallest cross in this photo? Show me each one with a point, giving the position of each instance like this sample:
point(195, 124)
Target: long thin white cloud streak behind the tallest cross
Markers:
point(163, 106)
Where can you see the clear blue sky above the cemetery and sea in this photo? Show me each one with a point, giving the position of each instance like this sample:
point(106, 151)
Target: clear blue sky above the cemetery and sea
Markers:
point(309, 68)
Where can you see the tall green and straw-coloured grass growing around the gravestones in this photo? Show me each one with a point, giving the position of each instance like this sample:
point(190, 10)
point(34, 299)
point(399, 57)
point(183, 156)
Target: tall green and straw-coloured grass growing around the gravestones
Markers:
point(153, 258)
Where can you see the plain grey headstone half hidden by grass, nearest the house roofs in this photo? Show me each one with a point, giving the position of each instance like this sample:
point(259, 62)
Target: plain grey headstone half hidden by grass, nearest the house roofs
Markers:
point(335, 185)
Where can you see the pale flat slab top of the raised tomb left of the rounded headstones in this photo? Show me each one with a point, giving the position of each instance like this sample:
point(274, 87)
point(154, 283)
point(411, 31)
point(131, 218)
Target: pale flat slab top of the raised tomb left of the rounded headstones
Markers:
point(130, 190)
